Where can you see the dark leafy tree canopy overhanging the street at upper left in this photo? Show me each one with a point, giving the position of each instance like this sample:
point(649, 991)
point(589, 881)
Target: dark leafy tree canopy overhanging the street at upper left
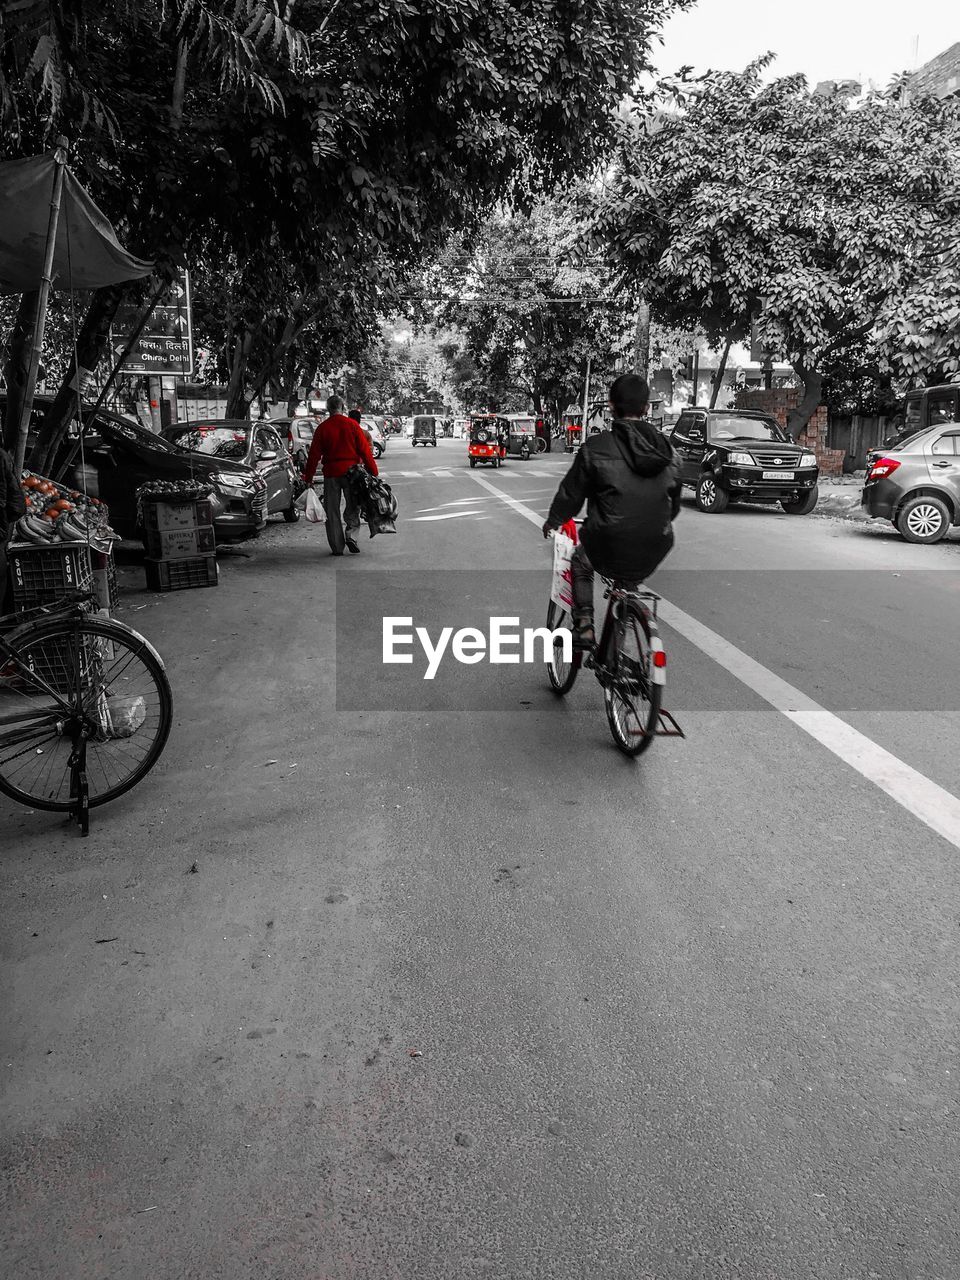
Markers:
point(353, 136)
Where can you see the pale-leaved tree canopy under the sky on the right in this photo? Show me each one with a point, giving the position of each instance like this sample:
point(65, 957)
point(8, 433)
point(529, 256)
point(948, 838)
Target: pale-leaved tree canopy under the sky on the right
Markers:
point(729, 196)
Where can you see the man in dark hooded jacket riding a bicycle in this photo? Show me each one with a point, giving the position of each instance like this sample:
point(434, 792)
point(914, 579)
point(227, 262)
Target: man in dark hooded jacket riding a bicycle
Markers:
point(630, 481)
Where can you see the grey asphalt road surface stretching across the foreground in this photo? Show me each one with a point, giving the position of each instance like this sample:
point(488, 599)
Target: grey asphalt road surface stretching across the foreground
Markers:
point(458, 991)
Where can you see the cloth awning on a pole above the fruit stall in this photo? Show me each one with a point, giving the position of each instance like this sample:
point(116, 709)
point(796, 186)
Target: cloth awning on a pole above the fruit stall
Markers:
point(95, 259)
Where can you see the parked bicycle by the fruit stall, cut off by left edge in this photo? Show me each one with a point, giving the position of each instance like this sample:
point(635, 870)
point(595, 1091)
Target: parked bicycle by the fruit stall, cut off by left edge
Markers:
point(85, 708)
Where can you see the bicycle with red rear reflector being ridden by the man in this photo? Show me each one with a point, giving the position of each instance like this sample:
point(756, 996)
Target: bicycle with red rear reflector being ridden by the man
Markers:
point(629, 662)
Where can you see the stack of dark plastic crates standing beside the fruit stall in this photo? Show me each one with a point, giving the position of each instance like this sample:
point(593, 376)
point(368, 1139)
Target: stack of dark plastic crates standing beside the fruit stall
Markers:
point(179, 533)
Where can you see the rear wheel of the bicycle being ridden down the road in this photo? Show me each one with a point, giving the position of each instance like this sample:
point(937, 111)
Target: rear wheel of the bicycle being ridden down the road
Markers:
point(632, 696)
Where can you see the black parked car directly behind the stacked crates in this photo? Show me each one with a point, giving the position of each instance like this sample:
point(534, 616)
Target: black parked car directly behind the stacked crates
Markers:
point(120, 455)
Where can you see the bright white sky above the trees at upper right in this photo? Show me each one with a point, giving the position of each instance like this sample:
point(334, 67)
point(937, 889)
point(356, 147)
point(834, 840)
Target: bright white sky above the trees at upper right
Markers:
point(824, 39)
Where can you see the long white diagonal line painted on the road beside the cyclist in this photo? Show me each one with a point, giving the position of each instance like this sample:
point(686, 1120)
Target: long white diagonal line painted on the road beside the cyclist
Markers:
point(925, 799)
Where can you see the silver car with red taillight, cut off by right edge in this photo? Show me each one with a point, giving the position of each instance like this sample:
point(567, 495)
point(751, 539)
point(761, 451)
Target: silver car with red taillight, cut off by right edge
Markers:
point(917, 486)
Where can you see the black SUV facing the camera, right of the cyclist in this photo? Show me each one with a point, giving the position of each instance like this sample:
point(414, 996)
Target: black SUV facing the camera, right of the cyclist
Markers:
point(737, 456)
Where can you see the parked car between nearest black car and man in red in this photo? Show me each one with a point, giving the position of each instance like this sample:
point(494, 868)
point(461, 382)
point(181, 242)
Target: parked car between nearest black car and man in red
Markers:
point(253, 444)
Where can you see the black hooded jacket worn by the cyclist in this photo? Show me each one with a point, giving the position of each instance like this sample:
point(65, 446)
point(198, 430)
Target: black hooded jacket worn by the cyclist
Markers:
point(630, 481)
